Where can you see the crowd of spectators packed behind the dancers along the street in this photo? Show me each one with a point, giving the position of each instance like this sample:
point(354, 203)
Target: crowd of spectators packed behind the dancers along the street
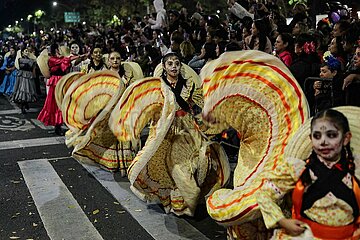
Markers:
point(304, 46)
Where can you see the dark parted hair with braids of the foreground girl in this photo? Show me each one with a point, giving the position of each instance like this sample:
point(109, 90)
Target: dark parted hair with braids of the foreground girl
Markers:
point(342, 123)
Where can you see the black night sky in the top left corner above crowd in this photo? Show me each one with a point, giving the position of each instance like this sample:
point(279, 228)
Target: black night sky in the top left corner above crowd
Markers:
point(12, 10)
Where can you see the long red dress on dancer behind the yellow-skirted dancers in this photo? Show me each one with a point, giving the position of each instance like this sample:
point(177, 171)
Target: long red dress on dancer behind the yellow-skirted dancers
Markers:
point(50, 113)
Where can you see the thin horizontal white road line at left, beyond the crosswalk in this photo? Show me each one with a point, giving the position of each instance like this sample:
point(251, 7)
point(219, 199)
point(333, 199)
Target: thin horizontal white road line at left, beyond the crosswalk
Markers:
point(35, 142)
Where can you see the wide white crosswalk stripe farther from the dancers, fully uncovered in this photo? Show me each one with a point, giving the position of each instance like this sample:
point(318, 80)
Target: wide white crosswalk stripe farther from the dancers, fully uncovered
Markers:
point(62, 216)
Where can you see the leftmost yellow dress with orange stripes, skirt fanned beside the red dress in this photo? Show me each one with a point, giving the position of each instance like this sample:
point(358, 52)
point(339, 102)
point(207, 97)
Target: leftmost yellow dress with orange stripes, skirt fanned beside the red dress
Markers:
point(87, 101)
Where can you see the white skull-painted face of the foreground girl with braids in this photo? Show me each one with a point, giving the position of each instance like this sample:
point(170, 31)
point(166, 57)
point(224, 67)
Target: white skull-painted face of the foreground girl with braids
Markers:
point(327, 140)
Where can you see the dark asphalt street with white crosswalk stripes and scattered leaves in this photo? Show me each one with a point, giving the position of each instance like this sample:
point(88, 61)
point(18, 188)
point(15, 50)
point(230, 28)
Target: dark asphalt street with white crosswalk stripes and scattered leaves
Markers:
point(46, 194)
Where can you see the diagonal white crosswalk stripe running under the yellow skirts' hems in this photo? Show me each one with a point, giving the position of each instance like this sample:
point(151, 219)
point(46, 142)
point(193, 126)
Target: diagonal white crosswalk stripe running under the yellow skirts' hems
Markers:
point(152, 218)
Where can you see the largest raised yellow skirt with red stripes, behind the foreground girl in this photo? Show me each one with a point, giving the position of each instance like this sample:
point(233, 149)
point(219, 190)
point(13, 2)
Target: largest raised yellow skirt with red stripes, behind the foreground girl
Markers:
point(256, 94)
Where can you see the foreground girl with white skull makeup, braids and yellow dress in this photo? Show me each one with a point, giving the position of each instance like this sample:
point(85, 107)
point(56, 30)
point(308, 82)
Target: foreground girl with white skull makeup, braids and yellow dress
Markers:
point(326, 194)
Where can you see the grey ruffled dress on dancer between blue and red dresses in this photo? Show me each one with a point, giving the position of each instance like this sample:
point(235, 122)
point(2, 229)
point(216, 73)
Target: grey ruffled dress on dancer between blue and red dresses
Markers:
point(25, 90)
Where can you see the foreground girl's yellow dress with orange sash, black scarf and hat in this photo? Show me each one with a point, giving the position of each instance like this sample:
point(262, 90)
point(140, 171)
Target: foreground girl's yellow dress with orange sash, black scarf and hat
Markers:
point(332, 204)
